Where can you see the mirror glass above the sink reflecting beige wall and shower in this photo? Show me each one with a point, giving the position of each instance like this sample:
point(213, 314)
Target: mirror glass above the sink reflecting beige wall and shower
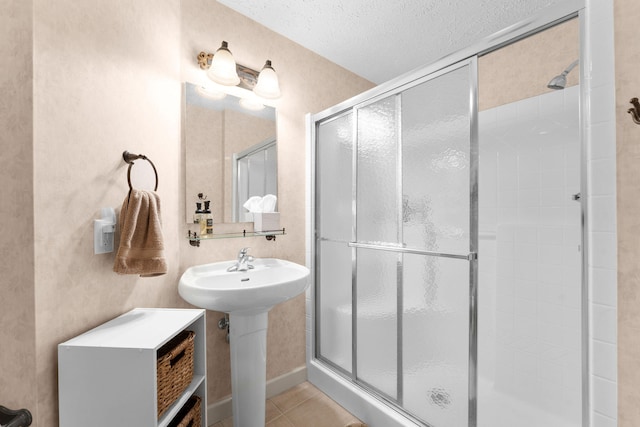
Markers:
point(230, 153)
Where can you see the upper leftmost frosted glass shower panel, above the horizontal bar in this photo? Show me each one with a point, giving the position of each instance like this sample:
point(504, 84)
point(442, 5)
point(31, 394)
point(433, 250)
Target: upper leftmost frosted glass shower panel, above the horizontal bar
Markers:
point(334, 177)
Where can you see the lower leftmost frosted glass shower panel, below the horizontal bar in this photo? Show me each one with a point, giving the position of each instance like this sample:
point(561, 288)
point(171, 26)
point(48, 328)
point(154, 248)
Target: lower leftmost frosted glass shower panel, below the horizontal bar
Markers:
point(334, 304)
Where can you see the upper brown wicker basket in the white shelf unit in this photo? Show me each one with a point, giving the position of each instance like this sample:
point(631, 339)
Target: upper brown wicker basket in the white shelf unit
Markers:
point(175, 369)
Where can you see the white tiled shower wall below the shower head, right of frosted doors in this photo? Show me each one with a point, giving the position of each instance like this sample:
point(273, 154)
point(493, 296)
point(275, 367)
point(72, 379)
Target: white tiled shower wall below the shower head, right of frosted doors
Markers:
point(530, 265)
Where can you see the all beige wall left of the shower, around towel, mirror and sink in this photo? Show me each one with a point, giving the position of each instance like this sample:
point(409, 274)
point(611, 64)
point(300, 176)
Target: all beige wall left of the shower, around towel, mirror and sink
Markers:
point(107, 78)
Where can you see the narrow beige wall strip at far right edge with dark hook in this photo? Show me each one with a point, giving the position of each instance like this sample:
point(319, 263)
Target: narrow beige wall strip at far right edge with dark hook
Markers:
point(627, 57)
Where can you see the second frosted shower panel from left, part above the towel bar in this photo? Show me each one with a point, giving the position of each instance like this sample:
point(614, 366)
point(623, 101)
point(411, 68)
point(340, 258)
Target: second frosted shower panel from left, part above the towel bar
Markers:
point(377, 166)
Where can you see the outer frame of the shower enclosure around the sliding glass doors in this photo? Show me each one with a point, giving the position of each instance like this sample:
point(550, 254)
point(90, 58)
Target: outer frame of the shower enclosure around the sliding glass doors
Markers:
point(341, 387)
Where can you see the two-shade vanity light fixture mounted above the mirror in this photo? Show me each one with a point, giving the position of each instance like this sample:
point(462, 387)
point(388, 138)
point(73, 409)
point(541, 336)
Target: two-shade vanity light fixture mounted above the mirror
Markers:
point(223, 70)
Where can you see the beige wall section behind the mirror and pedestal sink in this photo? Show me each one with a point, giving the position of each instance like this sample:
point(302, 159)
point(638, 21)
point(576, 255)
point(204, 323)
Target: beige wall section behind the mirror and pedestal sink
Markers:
point(309, 83)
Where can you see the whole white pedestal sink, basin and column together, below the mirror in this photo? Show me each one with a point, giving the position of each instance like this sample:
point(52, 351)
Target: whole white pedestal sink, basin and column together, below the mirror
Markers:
point(247, 296)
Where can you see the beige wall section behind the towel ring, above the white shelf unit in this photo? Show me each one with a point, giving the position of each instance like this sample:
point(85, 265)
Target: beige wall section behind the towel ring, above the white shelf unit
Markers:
point(106, 79)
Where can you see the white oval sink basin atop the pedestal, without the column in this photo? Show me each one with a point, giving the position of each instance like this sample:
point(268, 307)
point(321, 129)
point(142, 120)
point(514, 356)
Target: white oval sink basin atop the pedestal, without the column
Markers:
point(270, 282)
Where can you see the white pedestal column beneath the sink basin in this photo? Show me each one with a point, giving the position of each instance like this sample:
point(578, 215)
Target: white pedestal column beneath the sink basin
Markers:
point(248, 340)
